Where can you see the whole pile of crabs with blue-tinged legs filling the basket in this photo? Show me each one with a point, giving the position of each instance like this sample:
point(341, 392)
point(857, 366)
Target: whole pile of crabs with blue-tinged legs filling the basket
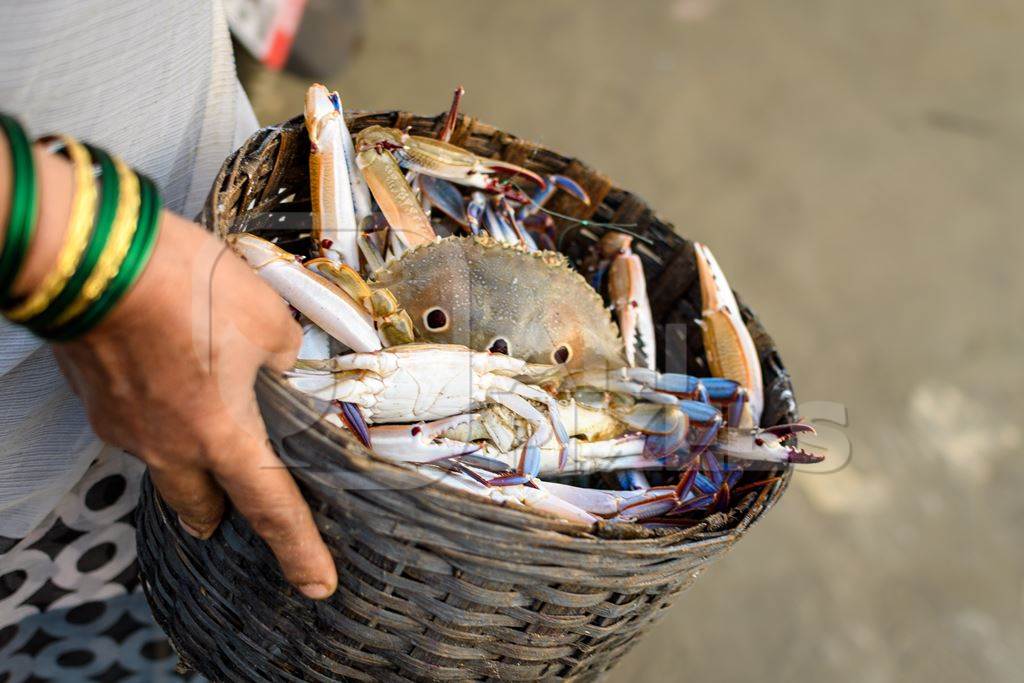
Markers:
point(443, 336)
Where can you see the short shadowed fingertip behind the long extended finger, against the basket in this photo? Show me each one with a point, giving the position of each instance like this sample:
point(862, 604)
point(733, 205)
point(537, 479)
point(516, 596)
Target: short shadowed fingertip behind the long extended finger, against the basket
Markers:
point(194, 495)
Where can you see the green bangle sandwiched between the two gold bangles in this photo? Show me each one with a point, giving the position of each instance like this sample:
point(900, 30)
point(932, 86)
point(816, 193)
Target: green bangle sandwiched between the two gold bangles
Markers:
point(110, 195)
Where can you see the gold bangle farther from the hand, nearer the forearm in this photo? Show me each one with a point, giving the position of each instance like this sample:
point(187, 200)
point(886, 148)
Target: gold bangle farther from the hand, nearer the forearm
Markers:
point(83, 212)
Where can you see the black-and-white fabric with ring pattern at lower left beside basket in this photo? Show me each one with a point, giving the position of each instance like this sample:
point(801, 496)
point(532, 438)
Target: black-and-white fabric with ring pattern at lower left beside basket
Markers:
point(71, 605)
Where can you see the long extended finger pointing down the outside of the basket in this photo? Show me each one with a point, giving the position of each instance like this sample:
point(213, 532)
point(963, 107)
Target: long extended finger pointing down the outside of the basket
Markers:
point(266, 494)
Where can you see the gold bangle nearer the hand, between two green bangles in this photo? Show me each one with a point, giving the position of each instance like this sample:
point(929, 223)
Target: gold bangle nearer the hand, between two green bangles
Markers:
point(122, 232)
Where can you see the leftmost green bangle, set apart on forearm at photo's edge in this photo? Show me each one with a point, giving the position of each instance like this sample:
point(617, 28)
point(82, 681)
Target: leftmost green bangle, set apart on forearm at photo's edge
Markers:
point(24, 207)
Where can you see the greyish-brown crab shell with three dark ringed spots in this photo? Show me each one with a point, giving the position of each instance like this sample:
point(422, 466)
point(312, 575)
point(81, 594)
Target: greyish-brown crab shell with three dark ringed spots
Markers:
point(489, 292)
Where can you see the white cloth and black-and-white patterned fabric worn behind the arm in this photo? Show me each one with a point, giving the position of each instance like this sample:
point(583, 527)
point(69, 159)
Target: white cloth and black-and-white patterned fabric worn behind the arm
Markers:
point(155, 83)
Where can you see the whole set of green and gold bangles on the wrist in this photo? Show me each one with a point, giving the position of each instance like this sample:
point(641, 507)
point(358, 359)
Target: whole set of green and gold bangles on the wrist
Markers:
point(111, 233)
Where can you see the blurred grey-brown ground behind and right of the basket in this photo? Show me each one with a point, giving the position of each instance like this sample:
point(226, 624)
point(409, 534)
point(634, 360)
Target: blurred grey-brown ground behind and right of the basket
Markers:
point(858, 169)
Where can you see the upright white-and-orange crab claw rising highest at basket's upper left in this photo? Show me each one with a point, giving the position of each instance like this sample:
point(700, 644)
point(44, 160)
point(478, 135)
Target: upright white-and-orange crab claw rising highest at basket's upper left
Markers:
point(335, 227)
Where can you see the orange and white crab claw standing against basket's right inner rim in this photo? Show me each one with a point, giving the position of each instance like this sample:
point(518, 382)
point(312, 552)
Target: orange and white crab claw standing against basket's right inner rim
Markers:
point(731, 349)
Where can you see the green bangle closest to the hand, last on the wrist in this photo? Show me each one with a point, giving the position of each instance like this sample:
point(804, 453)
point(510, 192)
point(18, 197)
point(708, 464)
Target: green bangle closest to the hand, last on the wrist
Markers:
point(132, 269)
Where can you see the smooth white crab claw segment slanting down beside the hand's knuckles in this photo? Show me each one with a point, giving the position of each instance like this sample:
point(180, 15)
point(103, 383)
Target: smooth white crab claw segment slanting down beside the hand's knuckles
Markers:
point(320, 301)
